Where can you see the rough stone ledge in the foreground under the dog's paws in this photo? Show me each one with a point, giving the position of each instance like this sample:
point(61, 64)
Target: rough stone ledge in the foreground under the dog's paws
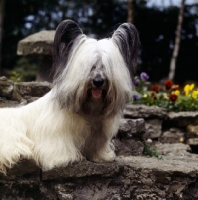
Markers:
point(132, 177)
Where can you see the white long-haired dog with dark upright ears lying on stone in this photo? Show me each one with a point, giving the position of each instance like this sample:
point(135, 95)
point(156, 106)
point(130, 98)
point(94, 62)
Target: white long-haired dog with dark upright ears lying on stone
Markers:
point(81, 114)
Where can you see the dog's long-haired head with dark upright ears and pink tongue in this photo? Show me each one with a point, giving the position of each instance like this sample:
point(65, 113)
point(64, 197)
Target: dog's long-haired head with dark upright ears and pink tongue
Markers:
point(89, 70)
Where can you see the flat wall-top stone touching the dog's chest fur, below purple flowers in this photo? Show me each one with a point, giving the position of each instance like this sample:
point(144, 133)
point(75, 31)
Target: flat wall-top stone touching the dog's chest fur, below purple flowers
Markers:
point(142, 111)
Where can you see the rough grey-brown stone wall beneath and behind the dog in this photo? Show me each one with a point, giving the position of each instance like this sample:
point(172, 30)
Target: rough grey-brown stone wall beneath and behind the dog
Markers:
point(130, 176)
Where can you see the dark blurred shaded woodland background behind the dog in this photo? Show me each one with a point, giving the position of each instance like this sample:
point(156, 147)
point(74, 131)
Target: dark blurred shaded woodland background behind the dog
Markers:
point(156, 21)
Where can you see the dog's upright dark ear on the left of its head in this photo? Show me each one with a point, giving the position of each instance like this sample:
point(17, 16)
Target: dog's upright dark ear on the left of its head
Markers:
point(66, 33)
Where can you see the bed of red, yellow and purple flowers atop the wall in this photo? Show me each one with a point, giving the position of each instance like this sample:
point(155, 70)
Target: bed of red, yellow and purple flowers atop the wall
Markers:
point(170, 96)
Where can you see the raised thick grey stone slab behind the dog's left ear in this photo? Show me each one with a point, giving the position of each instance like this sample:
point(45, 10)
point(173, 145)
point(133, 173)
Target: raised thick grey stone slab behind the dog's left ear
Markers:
point(39, 43)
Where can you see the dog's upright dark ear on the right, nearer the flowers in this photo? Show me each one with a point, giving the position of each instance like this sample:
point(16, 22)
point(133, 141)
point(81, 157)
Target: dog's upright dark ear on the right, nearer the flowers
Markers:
point(126, 38)
